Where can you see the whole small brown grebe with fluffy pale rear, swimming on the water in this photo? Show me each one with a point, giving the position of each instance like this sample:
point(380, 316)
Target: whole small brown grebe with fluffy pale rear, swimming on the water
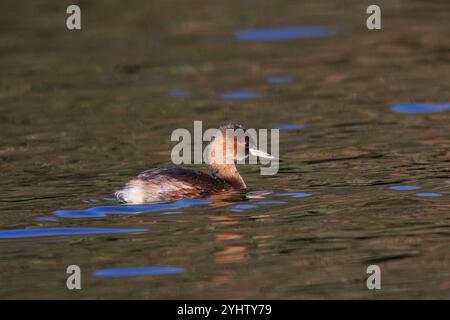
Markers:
point(159, 184)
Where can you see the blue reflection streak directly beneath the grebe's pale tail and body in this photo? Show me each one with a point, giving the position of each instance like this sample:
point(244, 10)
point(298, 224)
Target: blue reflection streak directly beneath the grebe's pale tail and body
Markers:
point(103, 211)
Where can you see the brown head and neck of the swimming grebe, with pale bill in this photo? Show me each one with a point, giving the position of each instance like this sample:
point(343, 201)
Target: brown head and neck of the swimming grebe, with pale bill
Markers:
point(230, 144)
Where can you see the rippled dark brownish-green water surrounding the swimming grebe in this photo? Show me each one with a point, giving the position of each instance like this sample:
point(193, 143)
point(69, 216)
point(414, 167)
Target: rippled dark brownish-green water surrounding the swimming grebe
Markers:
point(84, 111)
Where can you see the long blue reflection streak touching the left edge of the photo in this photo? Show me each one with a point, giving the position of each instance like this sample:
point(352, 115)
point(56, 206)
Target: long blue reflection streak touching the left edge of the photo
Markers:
point(45, 232)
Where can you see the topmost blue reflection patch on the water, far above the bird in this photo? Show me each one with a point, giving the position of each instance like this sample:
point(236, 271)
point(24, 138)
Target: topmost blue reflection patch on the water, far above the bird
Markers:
point(285, 33)
